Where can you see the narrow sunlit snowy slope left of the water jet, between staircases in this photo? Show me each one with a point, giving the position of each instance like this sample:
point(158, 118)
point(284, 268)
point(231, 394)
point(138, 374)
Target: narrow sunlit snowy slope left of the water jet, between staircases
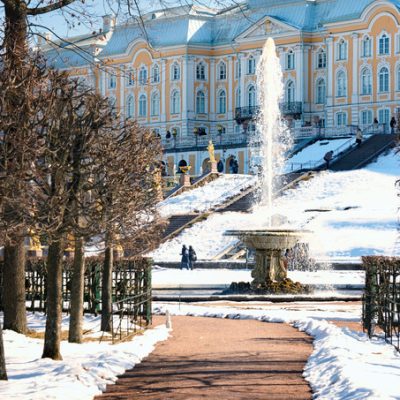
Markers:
point(206, 197)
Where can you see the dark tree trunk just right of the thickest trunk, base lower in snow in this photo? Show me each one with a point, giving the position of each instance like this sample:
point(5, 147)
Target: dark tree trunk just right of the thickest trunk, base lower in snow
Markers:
point(52, 337)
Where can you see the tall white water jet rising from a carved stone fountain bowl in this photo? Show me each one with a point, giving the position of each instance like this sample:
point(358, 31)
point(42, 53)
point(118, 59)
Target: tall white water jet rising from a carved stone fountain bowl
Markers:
point(270, 244)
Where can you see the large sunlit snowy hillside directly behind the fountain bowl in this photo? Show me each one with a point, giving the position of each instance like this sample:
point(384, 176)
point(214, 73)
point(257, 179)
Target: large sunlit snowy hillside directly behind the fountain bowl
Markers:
point(350, 213)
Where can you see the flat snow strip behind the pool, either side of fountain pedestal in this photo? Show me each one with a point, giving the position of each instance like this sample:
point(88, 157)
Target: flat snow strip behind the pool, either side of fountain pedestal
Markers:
point(164, 277)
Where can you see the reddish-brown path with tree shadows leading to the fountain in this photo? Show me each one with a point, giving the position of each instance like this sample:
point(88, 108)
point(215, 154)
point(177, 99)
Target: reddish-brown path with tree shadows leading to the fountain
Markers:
point(217, 359)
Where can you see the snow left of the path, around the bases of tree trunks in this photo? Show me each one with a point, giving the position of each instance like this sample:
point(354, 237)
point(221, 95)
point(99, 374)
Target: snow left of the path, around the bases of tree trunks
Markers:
point(85, 370)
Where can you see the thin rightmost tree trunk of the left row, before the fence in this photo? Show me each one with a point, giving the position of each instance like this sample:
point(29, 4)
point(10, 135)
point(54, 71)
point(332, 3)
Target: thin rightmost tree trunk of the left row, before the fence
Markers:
point(106, 289)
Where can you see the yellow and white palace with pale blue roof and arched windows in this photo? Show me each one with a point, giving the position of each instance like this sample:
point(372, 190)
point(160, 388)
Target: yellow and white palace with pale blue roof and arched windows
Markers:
point(189, 73)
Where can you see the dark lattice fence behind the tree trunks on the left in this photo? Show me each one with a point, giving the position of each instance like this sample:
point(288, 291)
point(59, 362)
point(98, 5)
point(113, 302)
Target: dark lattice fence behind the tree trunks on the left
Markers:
point(131, 280)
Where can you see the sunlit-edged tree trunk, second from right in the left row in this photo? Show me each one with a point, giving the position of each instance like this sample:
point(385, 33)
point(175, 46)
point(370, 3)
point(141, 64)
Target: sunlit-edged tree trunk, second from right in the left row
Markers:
point(77, 288)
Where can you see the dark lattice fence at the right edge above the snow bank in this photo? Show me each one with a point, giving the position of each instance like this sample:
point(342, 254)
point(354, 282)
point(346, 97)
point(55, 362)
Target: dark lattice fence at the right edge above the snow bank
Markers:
point(381, 300)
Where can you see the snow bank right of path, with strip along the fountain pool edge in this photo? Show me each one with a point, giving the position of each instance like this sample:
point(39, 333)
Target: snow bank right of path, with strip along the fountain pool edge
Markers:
point(344, 365)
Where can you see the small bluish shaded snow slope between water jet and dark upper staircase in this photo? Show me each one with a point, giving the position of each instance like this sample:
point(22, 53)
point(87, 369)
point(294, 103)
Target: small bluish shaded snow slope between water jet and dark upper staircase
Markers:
point(312, 156)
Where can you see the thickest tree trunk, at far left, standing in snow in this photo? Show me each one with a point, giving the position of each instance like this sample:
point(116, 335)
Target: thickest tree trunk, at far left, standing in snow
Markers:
point(14, 286)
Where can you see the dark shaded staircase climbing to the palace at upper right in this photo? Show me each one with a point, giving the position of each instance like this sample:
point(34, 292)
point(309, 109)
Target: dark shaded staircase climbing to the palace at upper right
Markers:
point(358, 157)
